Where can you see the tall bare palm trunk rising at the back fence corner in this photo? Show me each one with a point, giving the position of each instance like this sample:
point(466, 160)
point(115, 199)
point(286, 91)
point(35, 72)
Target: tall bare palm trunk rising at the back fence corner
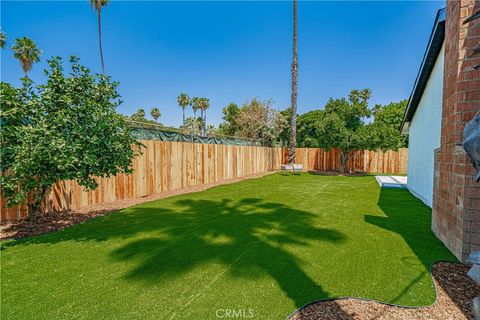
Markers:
point(293, 119)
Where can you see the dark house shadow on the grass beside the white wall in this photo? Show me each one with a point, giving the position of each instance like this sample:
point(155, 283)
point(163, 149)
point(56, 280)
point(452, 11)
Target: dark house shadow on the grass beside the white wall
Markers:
point(411, 219)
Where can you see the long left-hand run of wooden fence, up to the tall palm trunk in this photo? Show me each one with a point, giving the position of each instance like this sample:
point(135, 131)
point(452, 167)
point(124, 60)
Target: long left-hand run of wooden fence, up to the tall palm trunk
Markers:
point(163, 166)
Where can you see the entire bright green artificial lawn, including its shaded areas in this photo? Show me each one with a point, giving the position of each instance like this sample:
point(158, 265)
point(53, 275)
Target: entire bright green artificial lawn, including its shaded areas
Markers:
point(267, 246)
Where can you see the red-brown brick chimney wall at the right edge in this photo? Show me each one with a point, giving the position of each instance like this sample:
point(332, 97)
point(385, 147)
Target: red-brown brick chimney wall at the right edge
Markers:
point(456, 196)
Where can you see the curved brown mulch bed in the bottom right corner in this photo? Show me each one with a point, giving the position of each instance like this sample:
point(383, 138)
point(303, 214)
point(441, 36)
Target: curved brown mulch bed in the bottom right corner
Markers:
point(455, 291)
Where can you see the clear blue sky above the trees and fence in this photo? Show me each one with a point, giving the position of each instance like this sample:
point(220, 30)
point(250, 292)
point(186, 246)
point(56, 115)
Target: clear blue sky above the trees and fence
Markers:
point(230, 51)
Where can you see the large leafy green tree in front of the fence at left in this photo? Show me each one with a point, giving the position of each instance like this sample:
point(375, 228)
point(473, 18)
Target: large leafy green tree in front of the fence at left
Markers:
point(66, 129)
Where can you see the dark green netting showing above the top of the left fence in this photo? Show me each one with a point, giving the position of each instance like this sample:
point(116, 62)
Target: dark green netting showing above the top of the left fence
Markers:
point(141, 132)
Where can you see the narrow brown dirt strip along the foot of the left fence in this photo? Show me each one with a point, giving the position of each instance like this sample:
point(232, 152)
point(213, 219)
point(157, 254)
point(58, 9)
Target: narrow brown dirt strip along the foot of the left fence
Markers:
point(59, 220)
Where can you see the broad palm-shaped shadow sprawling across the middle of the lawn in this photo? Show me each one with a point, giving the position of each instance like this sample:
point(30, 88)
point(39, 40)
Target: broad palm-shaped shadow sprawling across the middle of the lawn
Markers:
point(249, 236)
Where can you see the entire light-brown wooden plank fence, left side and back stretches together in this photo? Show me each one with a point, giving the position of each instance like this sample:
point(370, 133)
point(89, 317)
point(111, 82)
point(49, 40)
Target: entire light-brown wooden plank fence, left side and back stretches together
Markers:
point(167, 166)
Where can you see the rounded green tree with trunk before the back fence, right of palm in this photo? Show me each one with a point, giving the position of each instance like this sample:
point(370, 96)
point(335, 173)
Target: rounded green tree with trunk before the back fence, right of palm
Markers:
point(343, 126)
